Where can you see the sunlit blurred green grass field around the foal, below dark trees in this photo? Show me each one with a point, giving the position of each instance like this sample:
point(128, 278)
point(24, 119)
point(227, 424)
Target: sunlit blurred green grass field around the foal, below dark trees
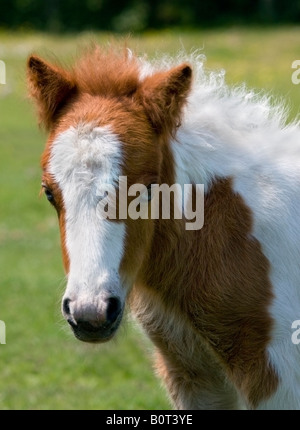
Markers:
point(41, 365)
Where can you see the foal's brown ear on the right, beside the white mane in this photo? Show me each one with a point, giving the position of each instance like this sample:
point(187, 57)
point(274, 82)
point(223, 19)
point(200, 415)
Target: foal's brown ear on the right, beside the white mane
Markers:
point(163, 95)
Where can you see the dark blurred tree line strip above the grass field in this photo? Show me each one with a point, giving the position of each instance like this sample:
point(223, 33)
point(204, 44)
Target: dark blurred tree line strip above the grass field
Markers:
point(140, 15)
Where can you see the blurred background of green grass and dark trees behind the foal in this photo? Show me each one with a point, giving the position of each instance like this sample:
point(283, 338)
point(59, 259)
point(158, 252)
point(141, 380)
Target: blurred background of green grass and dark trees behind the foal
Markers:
point(42, 366)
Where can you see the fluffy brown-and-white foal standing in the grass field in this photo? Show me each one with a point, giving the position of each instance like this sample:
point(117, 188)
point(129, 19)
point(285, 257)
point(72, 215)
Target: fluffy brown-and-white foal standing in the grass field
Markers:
point(219, 302)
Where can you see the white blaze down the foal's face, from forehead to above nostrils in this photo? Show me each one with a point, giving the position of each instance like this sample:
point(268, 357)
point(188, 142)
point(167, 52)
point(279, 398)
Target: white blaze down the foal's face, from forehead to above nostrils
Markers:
point(82, 159)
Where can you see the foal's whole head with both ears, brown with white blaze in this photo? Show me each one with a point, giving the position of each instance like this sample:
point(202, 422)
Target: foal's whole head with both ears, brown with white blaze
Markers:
point(104, 139)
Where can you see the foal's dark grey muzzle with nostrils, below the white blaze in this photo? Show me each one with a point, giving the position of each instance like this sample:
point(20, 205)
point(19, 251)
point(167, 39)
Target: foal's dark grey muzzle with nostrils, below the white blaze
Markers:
point(95, 321)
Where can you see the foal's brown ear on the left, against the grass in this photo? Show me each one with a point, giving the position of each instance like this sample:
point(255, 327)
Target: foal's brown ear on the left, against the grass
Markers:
point(49, 86)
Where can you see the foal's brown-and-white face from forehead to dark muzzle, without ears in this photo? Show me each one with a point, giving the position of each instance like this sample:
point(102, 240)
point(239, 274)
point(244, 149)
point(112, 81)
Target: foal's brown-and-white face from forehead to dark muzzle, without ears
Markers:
point(85, 165)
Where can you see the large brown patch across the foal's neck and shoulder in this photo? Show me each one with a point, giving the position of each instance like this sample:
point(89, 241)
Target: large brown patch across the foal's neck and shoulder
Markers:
point(223, 286)
